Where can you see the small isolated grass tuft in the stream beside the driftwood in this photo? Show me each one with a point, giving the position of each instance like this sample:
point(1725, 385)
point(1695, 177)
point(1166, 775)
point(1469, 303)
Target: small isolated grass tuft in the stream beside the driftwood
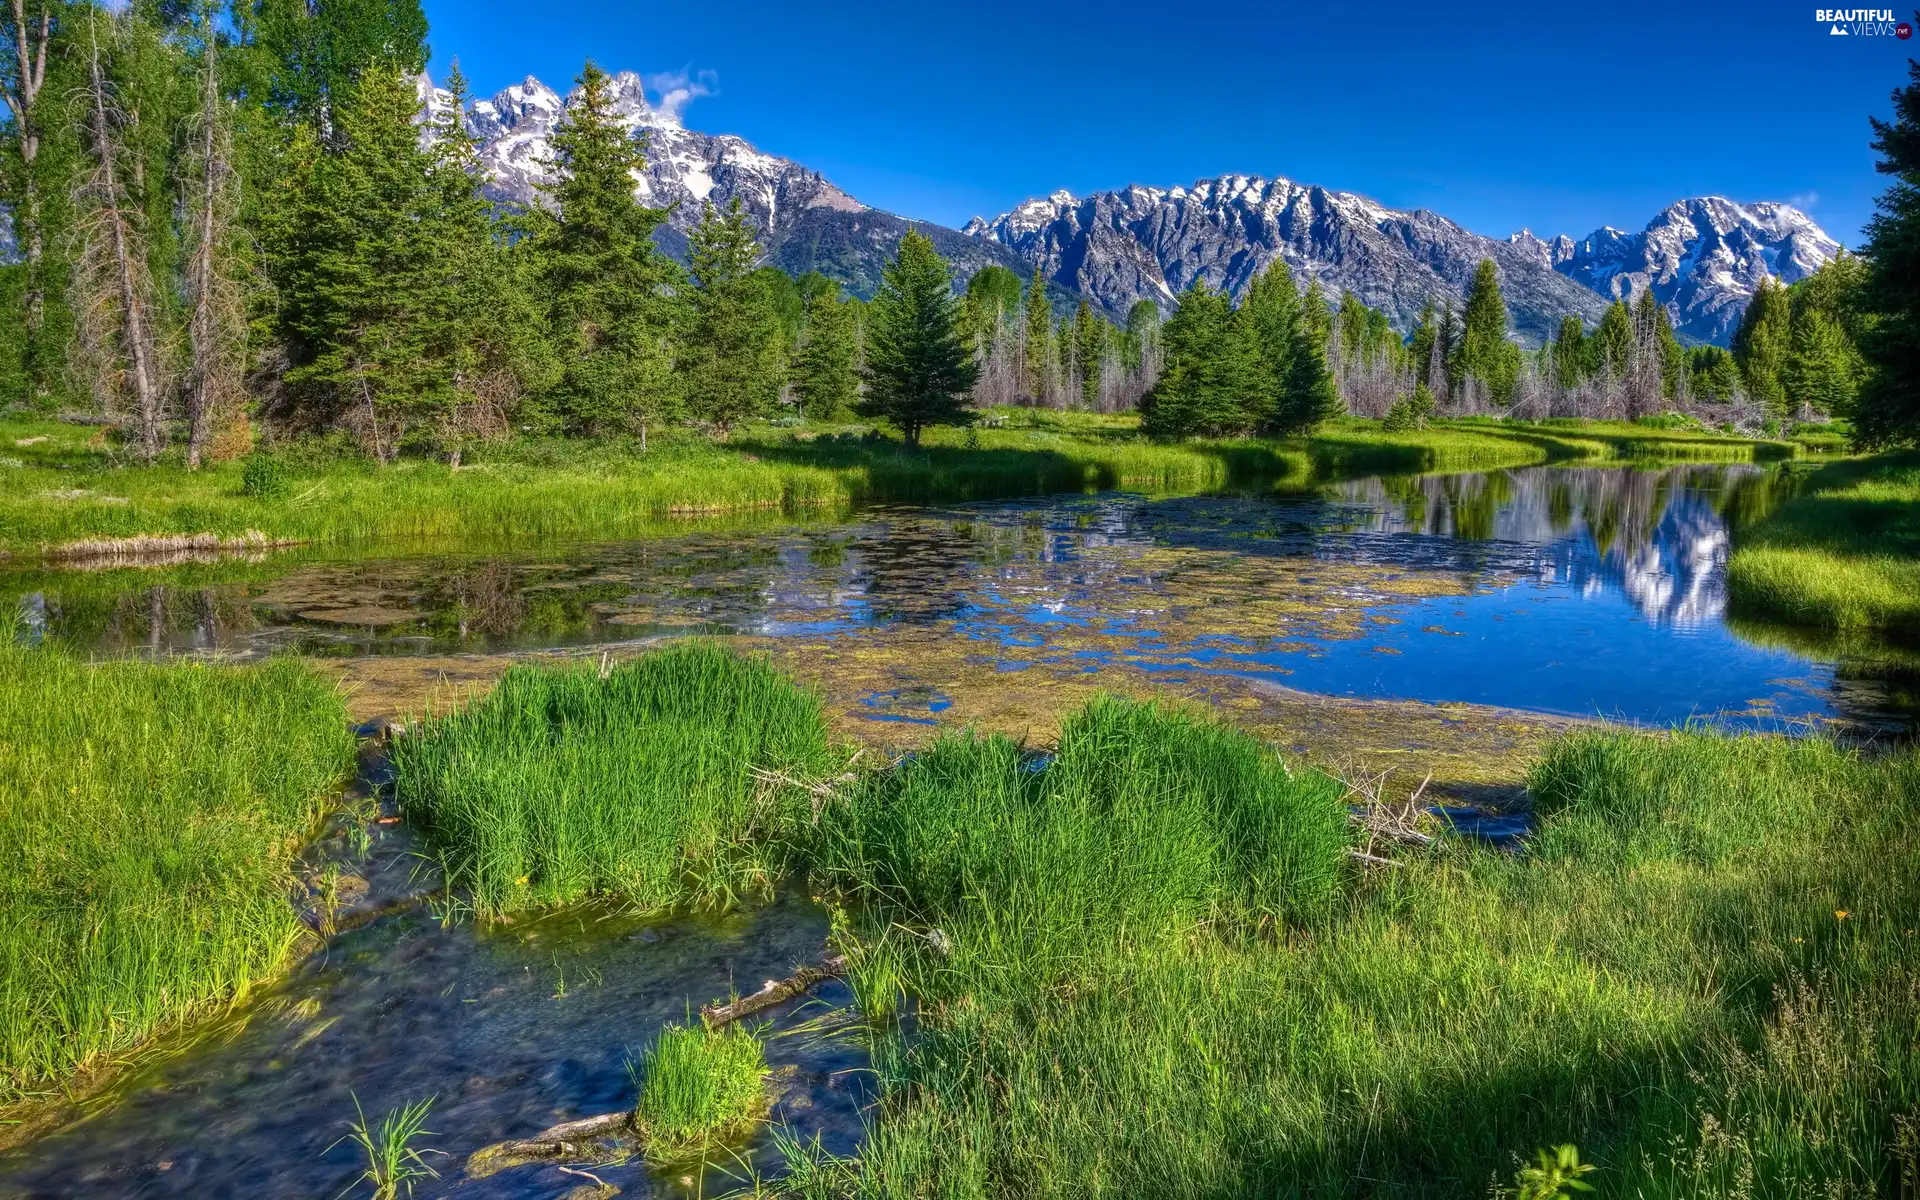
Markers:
point(700, 1090)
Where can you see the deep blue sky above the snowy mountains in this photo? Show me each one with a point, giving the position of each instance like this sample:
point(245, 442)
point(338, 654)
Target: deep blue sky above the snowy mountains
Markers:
point(1550, 116)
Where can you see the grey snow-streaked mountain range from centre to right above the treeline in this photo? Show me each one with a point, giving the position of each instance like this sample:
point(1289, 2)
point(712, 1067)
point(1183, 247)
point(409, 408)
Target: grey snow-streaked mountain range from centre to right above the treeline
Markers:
point(1704, 258)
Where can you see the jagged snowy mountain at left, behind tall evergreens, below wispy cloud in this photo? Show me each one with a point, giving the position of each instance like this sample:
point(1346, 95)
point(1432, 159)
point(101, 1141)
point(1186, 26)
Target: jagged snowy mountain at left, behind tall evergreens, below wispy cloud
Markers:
point(805, 222)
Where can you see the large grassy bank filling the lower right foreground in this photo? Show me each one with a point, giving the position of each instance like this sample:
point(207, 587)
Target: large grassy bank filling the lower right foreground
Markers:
point(1149, 967)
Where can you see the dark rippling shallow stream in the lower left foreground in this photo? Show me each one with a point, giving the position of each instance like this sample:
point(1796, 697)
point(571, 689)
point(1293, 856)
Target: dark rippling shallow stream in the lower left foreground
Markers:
point(512, 1030)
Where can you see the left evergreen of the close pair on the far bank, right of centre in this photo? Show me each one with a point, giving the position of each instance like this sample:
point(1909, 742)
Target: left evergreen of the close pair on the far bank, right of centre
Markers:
point(1214, 381)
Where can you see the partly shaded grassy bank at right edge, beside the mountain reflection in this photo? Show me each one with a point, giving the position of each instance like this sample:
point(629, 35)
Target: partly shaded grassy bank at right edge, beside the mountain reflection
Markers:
point(1844, 554)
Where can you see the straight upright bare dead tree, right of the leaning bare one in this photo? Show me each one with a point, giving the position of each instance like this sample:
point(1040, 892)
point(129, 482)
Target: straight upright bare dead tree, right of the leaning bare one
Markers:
point(216, 329)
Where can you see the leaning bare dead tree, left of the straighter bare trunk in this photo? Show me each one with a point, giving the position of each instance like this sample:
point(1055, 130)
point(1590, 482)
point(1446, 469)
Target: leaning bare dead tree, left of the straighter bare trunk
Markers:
point(112, 281)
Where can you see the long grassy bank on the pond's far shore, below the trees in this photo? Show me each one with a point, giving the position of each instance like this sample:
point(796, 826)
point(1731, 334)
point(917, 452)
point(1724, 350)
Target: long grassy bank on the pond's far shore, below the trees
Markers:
point(62, 489)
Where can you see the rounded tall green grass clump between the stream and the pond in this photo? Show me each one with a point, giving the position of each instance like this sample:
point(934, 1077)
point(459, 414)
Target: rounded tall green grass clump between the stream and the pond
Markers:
point(638, 786)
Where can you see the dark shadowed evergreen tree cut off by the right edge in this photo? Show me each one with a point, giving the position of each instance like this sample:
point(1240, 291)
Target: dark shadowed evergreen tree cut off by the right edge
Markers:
point(1888, 412)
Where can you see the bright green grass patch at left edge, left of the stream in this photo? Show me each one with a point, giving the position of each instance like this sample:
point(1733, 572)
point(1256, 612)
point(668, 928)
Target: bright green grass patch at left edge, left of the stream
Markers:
point(149, 821)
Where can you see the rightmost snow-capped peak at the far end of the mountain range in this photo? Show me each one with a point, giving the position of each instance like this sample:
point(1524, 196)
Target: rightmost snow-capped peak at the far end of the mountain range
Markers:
point(1704, 260)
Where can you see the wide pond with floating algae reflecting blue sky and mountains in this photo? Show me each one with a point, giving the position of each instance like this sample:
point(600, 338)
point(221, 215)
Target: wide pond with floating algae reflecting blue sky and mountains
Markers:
point(1585, 592)
